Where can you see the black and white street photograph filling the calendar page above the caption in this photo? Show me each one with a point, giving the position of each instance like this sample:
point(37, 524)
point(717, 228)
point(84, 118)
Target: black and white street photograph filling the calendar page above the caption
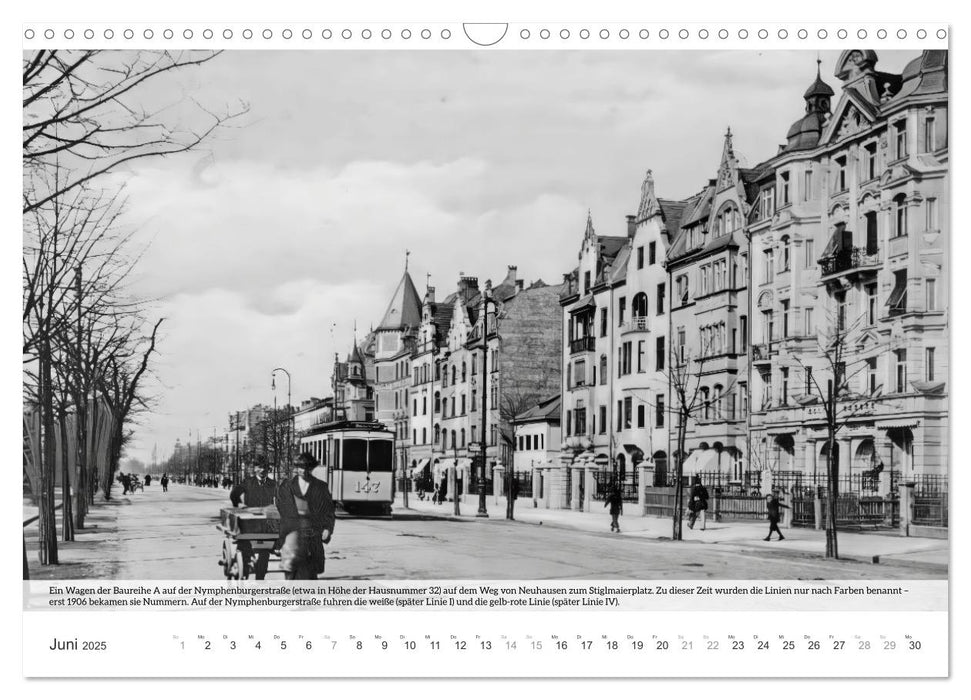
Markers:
point(486, 315)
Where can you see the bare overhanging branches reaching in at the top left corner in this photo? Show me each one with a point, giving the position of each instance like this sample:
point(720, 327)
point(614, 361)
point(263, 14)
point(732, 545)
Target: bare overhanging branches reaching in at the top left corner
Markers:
point(93, 111)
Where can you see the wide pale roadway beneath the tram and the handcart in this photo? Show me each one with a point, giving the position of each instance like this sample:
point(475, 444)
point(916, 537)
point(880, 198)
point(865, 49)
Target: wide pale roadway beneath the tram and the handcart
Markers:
point(155, 535)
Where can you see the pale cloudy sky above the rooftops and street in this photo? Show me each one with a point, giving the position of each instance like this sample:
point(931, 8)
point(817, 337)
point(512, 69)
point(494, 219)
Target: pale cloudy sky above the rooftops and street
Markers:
point(267, 245)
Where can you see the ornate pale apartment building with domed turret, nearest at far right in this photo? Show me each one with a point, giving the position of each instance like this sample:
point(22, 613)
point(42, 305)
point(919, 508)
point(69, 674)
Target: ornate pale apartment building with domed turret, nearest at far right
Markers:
point(849, 241)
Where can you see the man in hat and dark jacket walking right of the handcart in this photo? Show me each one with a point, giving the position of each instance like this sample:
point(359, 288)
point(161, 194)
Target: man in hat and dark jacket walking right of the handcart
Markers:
point(306, 521)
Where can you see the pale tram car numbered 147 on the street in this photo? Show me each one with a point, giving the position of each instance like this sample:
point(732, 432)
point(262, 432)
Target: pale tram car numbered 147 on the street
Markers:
point(356, 459)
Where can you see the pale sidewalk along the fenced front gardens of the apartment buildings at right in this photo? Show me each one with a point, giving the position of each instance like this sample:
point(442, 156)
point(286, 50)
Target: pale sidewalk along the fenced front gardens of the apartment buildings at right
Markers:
point(872, 547)
